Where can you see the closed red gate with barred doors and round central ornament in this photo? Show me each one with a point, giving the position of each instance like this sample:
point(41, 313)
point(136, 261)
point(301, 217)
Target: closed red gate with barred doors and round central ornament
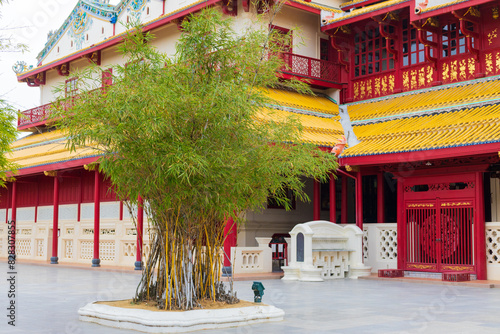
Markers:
point(439, 217)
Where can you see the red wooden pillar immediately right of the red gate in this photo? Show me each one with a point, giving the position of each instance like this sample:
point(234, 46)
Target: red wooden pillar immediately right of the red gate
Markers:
point(479, 230)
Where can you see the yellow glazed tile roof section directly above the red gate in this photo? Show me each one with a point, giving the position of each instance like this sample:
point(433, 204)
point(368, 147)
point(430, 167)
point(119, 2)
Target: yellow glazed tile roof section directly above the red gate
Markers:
point(472, 116)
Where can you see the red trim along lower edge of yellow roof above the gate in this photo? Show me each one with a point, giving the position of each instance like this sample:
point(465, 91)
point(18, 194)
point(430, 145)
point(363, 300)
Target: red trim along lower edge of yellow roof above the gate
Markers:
point(443, 153)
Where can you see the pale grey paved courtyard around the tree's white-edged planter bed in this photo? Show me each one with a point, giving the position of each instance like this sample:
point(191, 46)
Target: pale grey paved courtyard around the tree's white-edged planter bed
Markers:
point(49, 296)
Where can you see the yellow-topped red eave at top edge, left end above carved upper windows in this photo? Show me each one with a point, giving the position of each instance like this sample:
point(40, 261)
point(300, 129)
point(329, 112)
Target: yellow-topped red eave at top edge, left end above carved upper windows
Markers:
point(365, 13)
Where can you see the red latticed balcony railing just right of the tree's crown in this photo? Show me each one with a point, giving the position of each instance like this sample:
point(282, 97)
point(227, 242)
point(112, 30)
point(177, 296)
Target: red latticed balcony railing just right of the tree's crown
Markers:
point(311, 67)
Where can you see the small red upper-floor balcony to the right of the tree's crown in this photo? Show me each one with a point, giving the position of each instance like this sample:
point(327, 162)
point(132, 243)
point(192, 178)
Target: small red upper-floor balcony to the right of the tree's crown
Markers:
point(317, 72)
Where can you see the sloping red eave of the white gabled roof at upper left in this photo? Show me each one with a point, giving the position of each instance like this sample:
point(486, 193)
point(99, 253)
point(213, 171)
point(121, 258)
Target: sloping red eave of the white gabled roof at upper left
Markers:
point(114, 40)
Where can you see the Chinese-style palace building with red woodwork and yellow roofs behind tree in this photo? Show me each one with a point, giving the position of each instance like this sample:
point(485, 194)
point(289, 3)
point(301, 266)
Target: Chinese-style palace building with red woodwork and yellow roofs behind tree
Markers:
point(419, 80)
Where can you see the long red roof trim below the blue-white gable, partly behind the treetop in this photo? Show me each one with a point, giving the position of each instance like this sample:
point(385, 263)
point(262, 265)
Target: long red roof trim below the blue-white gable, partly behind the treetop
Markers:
point(116, 40)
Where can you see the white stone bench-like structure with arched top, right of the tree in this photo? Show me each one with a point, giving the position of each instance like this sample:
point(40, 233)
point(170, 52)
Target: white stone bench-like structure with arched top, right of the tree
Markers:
point(324, 250)
